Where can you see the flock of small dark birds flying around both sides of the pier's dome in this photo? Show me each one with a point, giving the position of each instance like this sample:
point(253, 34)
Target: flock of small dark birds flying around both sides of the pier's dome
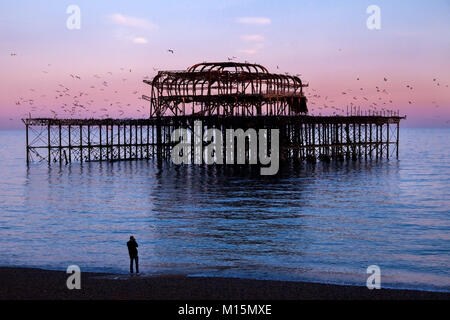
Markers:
point(72, 102)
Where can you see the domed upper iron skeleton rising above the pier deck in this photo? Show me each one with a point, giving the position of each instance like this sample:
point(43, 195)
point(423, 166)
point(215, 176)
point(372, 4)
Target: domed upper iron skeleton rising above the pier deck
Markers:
point(225, 89)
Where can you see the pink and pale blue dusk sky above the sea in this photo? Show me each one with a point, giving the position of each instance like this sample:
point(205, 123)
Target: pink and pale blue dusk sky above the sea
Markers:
point(404, 65)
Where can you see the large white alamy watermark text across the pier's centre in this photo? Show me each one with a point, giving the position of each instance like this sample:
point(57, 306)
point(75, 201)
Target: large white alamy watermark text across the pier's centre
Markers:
point(208, 147)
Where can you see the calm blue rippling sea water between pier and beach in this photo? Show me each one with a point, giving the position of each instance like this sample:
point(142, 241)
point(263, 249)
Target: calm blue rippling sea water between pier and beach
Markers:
point(326, 223)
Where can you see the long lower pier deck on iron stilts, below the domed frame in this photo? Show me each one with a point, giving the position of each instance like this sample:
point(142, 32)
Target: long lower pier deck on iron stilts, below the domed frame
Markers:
point(301, 137)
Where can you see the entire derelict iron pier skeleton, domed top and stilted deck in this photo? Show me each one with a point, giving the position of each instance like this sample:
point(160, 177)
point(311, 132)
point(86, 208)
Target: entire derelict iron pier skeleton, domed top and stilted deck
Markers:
point(223, 96)
